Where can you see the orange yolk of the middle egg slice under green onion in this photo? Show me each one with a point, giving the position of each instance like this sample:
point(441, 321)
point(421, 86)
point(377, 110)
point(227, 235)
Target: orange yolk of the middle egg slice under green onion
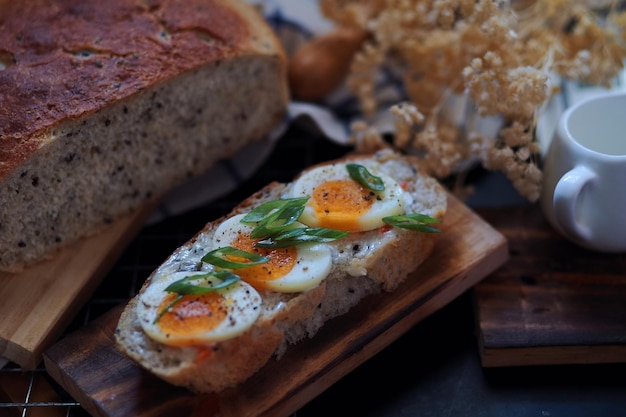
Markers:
point(281, 261)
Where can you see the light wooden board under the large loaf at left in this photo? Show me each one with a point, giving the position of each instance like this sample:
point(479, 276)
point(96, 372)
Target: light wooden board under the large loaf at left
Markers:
point(38, 303)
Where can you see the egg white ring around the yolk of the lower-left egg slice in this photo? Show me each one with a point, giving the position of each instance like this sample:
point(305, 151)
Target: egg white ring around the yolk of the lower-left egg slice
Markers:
point(241, 301)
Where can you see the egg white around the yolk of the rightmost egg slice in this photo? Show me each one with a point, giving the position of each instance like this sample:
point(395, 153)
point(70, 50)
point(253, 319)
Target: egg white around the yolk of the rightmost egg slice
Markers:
point(389, 202)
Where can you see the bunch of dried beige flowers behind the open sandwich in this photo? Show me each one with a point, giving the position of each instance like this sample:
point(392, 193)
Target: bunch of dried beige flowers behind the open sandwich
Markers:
point(500, 55)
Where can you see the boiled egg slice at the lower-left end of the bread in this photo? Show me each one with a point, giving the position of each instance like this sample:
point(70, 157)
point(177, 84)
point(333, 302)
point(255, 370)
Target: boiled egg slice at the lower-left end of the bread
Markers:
point(197, 319)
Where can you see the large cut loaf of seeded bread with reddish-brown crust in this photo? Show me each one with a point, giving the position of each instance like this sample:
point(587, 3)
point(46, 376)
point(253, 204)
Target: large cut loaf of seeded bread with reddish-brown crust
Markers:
point(107, 105)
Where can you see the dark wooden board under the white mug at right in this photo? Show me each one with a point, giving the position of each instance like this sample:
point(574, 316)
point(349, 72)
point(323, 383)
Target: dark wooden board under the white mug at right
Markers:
point(552, 302)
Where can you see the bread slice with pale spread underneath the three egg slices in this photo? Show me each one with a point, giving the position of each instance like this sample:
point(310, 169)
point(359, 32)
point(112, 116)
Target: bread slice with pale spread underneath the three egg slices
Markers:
point(364, 263)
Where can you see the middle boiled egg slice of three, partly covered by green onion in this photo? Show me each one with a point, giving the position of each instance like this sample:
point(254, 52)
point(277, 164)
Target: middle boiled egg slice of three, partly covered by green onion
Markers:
point(291, 269)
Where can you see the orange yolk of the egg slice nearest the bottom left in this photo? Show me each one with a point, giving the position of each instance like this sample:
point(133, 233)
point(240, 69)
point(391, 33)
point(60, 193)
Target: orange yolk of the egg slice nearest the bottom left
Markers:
point(193, 314)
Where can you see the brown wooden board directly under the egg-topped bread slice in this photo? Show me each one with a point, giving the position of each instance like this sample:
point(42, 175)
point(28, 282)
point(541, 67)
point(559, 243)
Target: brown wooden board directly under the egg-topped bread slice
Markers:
point(107, 384)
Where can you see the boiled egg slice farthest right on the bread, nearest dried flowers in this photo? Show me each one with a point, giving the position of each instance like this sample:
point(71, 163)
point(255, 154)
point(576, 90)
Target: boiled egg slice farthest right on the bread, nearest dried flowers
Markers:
point(339, 202)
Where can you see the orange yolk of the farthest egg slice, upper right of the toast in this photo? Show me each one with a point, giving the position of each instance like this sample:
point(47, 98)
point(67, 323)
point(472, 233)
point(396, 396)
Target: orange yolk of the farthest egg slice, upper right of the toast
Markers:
point(338, 204)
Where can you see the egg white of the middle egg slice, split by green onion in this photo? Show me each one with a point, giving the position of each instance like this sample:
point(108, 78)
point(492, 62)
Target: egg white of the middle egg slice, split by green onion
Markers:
point(313, 260)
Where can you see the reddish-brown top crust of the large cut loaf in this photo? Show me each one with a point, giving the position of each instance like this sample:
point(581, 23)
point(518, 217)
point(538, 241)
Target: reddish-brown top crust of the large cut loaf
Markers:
point(70, 58)
